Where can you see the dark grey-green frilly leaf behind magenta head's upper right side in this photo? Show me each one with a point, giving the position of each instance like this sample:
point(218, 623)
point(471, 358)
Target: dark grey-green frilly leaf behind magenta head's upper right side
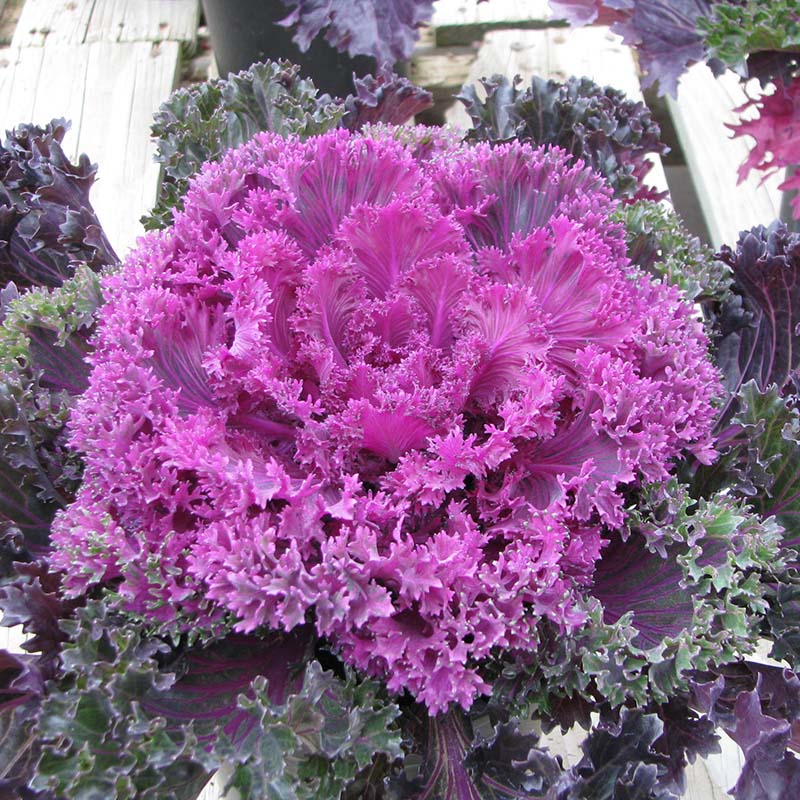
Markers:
point(610, 133)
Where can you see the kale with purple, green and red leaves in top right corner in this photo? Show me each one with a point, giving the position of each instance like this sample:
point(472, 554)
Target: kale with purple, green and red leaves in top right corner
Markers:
point(756, 39)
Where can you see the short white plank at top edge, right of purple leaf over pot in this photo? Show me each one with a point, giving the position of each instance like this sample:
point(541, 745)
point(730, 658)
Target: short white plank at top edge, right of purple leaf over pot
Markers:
point(459, 22)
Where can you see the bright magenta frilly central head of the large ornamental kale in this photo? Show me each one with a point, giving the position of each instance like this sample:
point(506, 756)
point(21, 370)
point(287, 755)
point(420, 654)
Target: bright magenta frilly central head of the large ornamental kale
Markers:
point(385, 383)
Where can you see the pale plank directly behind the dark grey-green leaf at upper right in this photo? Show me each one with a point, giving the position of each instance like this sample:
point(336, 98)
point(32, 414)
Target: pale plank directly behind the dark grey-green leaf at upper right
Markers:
point(554, 53)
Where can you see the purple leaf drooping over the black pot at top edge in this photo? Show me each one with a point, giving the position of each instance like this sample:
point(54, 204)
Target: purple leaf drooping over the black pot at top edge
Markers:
point(384, 29)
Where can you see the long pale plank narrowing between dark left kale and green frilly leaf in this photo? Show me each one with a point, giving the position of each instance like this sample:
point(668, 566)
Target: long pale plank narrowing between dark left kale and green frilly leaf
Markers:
point(125, 84)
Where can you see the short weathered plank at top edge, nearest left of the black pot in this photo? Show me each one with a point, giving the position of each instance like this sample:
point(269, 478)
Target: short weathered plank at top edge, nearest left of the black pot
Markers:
point(144, 20)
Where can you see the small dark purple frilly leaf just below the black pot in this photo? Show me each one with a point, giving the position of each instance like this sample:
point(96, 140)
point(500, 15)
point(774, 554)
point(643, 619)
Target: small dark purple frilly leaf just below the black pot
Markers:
point(387, 98)
